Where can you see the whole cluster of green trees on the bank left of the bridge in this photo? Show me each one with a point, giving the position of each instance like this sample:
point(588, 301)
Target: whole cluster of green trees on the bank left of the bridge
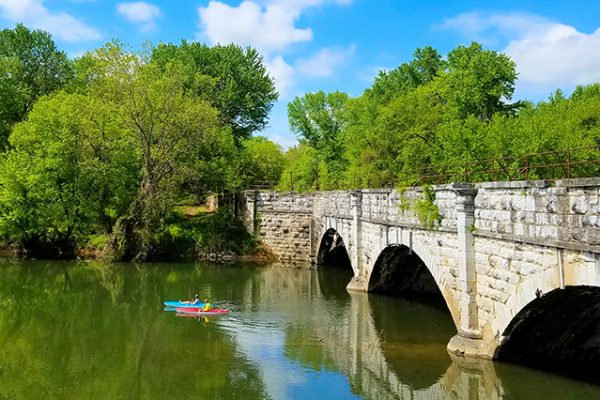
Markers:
point(118, 138)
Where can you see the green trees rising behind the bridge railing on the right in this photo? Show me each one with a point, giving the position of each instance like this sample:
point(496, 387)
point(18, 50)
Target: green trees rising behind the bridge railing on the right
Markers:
point(436, 119)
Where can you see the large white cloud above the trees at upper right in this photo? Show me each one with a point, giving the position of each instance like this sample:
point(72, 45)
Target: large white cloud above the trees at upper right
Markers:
point(548, 54)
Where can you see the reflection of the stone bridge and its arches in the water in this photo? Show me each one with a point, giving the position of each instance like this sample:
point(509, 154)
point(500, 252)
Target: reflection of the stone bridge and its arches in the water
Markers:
point(388, 348)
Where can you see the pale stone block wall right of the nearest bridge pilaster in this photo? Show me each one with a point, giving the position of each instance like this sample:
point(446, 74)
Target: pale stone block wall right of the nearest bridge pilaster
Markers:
point(562, 213)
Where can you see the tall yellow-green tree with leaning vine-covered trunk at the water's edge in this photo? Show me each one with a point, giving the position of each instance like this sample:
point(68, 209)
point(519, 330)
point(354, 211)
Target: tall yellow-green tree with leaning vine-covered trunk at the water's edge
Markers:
point(170, 126)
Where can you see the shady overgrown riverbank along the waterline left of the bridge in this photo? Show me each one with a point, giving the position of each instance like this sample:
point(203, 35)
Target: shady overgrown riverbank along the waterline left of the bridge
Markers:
point(186, 234)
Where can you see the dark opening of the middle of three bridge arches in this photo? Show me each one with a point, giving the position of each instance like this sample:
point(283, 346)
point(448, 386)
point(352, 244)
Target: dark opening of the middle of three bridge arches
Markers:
point(400, 271)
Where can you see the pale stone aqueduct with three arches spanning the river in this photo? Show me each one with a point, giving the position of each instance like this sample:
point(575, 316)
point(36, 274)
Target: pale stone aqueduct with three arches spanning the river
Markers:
point(497, 249)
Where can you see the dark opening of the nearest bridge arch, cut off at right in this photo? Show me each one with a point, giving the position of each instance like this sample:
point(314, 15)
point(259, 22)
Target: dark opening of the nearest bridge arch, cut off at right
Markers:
point(561, 327)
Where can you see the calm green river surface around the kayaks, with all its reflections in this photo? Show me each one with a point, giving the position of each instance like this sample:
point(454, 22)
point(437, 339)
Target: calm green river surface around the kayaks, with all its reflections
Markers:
point(98, 331)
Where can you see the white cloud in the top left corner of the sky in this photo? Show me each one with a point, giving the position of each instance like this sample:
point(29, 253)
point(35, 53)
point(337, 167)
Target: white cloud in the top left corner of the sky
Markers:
point(33, 14)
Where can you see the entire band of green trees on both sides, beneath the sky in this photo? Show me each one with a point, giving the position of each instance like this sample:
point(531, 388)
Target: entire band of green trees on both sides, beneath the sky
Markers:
point(99, 151)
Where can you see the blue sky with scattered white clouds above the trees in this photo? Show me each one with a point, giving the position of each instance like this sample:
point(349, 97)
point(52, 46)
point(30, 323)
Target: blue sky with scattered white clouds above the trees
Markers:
point(329, 45)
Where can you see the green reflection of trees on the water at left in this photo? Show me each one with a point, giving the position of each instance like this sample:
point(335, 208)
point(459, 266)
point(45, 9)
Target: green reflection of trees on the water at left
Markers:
point(104, 338)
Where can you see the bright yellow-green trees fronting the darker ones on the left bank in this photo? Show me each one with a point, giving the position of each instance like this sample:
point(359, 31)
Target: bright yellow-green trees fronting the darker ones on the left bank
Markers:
point(112, 156)
